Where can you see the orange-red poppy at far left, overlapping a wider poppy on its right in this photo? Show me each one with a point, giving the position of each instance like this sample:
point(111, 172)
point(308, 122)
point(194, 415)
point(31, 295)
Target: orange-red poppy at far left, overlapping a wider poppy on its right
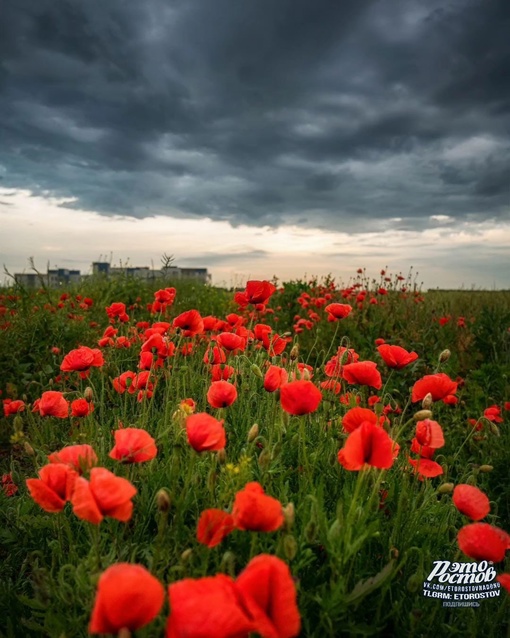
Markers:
point(53, 487)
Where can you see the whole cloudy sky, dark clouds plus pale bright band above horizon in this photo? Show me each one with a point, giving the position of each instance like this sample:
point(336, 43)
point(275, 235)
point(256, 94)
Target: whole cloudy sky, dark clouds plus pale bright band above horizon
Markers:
point(258, 137)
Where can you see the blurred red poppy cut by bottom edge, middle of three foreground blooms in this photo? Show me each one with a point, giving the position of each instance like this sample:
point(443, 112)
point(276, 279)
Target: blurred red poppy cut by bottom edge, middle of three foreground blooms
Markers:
point(206, 608)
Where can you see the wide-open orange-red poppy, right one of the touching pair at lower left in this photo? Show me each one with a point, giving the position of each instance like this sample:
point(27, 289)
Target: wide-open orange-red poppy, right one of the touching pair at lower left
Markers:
point(104, 495)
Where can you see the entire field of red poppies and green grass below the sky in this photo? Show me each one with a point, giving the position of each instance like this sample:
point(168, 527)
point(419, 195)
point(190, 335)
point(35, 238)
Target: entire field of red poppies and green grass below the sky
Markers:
point(305, 458)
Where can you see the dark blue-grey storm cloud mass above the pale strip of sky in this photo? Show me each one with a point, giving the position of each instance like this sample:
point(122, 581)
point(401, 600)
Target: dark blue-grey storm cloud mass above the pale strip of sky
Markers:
point(328, 114)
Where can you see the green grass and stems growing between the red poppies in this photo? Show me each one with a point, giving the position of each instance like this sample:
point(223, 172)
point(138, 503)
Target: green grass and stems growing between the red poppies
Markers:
point(359, 564)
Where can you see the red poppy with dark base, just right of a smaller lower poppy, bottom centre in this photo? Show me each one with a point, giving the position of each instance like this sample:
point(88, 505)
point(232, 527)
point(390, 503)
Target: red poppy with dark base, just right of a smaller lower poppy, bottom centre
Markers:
point(254, 511)
